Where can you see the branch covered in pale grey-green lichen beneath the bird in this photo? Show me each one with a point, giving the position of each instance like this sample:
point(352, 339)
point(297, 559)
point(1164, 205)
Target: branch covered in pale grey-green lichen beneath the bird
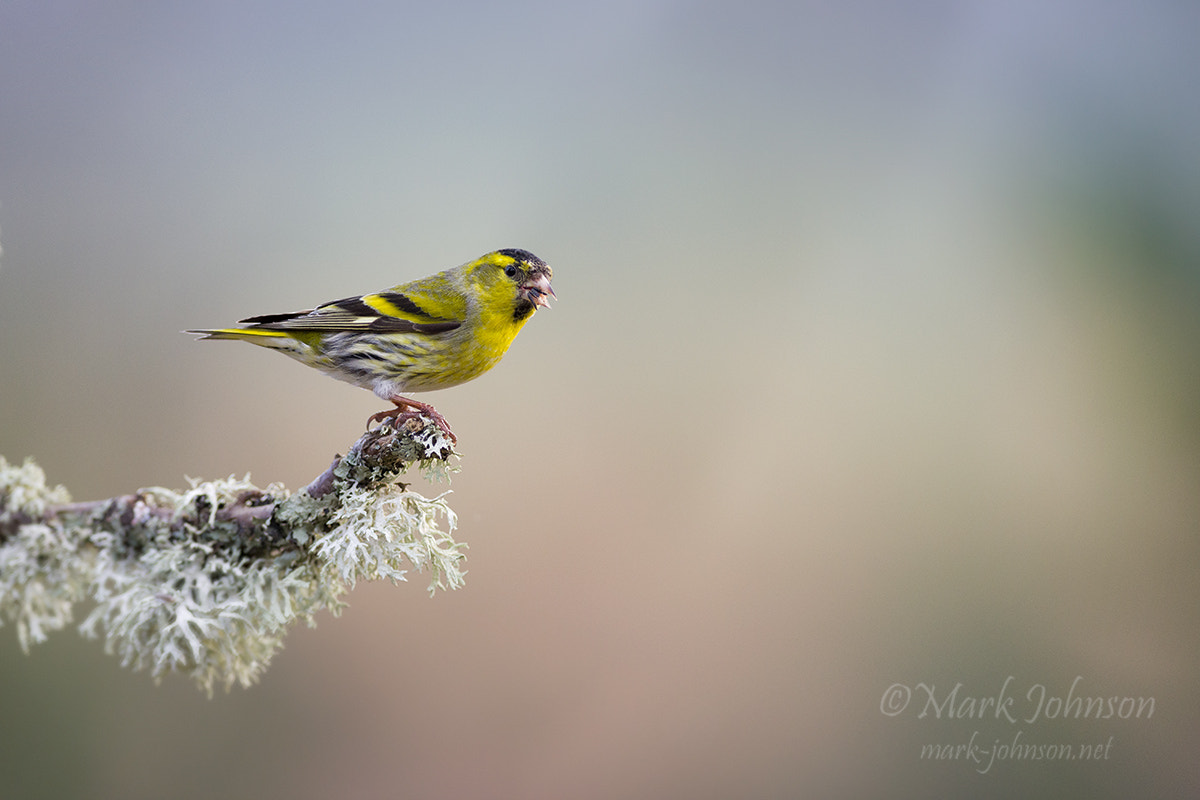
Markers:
point(207, 581)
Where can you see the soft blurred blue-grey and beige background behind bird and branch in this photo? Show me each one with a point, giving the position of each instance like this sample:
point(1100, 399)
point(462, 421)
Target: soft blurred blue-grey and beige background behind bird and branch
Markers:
point(877, 362)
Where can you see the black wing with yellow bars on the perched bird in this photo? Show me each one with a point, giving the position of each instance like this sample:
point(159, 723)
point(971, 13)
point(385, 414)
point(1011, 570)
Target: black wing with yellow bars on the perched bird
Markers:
point(386, 312)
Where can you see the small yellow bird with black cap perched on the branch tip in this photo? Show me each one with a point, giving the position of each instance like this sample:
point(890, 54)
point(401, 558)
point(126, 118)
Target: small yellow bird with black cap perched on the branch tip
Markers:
point(430, 334)
